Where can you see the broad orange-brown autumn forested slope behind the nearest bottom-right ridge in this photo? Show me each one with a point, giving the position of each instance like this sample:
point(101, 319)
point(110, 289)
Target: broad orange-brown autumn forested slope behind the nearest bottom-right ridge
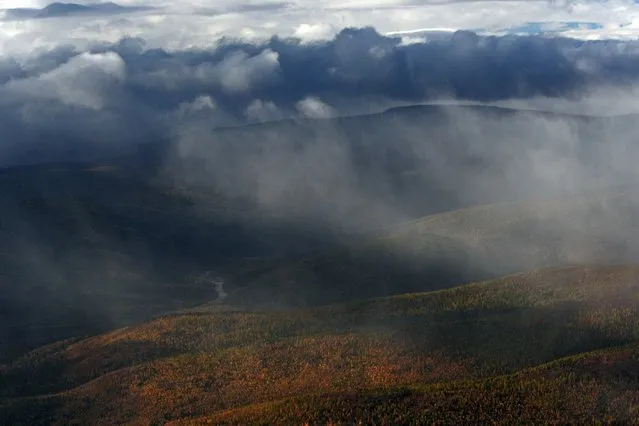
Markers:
point(191, 365)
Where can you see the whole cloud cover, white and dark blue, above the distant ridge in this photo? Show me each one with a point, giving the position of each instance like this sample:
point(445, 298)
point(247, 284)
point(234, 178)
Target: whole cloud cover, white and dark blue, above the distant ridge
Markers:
point(93, 92)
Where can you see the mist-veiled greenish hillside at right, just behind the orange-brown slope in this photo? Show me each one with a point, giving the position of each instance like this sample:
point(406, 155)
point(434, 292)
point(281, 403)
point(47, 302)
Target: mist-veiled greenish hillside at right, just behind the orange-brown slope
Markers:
point(465, 245)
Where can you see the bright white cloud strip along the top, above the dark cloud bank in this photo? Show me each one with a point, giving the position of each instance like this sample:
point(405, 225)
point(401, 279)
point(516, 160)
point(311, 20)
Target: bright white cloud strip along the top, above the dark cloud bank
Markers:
point(200, 23)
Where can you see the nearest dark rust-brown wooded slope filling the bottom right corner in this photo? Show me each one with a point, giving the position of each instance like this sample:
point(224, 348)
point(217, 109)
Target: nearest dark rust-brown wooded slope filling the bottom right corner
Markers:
point(596, 387)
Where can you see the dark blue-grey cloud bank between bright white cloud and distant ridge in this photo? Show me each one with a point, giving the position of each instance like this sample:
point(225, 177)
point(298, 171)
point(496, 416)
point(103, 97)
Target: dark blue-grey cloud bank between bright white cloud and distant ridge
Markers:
point(282, 78)
